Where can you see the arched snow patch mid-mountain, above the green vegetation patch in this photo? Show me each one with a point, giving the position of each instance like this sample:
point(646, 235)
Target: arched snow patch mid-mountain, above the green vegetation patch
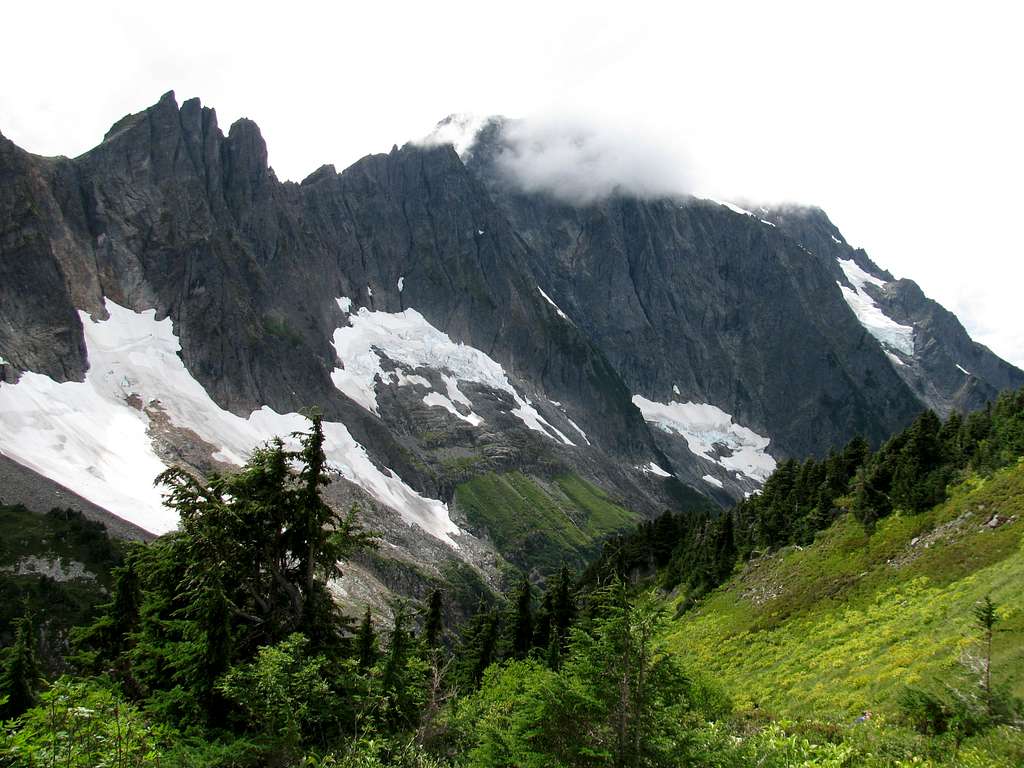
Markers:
point(408, 338)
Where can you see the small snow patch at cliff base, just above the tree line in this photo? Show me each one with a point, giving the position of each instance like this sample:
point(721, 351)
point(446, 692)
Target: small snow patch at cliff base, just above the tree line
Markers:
point(712, 435)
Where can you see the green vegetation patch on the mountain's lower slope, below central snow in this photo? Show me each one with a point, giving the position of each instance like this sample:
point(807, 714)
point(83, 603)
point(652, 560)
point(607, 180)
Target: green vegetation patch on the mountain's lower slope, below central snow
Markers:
point(541, 524)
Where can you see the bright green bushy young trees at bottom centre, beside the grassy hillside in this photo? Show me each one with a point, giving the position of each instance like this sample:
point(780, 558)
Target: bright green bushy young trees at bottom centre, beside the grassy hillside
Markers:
point(617, 700)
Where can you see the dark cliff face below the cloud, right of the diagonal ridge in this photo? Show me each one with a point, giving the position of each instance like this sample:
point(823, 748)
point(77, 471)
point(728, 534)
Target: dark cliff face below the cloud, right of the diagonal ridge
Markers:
point(751, 311)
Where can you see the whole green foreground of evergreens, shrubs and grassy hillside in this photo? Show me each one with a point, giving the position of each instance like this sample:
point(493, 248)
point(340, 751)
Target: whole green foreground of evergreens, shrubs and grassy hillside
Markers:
point(223, 645)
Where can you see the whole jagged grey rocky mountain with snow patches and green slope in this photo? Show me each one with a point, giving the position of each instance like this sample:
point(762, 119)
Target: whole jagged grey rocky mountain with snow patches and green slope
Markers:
point(504, 376)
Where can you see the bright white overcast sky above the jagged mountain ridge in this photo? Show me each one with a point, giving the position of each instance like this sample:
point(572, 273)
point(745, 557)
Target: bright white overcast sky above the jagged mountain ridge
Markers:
point(905, 121)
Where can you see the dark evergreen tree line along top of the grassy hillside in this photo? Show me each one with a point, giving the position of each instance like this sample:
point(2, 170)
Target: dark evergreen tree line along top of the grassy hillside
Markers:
point(910, 473)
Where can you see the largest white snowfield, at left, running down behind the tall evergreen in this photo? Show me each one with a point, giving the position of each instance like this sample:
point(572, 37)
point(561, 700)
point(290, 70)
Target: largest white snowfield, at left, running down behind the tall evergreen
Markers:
point(89, 438)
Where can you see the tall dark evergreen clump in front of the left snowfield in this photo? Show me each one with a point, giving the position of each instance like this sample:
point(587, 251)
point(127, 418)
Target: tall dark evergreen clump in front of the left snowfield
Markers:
point(247, 569)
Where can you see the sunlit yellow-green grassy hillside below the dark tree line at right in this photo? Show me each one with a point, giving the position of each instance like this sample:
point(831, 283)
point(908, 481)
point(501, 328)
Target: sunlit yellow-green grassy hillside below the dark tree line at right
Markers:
point(845, 624)
